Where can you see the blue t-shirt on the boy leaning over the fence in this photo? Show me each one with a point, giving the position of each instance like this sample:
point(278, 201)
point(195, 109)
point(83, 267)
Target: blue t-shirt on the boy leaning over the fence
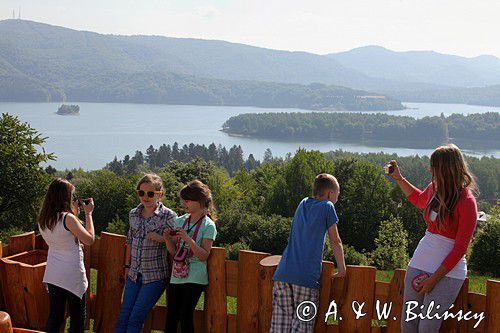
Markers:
point(301, 260)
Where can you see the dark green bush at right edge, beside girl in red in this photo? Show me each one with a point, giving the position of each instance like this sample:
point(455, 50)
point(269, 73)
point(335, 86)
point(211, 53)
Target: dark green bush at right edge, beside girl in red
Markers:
point(485, 254)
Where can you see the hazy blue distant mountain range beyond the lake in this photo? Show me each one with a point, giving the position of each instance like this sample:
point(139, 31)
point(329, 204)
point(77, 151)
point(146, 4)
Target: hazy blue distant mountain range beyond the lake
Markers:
point(44, 62)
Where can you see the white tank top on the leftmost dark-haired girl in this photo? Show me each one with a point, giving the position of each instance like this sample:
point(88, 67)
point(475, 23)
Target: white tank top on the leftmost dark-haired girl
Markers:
point(65, 267)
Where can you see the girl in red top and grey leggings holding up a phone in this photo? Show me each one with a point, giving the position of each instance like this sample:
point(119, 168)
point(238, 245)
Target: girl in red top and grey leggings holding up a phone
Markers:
point(438, 268)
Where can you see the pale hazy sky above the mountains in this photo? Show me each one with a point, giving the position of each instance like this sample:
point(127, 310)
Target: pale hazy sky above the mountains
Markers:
point(461, 27)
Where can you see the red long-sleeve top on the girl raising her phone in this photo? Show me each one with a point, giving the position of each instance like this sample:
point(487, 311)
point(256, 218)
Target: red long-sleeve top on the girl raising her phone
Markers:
point(462, 228)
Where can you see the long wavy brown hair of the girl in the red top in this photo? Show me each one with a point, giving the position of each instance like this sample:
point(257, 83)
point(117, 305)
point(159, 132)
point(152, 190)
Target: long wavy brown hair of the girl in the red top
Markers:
point(450, 175)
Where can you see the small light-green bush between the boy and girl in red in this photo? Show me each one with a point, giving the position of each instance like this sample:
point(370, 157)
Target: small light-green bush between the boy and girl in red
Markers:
point(391, 245)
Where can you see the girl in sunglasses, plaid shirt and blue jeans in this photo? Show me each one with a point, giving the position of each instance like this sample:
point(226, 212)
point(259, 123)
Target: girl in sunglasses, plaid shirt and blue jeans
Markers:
point(145, 267)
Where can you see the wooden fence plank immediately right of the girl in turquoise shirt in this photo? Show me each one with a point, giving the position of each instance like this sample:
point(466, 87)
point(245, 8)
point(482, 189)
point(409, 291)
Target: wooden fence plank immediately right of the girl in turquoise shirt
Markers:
point(215, 294)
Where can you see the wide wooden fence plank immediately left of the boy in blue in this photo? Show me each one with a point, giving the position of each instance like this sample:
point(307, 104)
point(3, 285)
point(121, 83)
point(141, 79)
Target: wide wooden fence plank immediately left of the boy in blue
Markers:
point(248, 299)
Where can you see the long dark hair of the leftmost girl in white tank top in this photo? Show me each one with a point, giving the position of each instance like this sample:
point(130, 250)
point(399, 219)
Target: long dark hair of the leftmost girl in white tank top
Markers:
point(58, 199)
